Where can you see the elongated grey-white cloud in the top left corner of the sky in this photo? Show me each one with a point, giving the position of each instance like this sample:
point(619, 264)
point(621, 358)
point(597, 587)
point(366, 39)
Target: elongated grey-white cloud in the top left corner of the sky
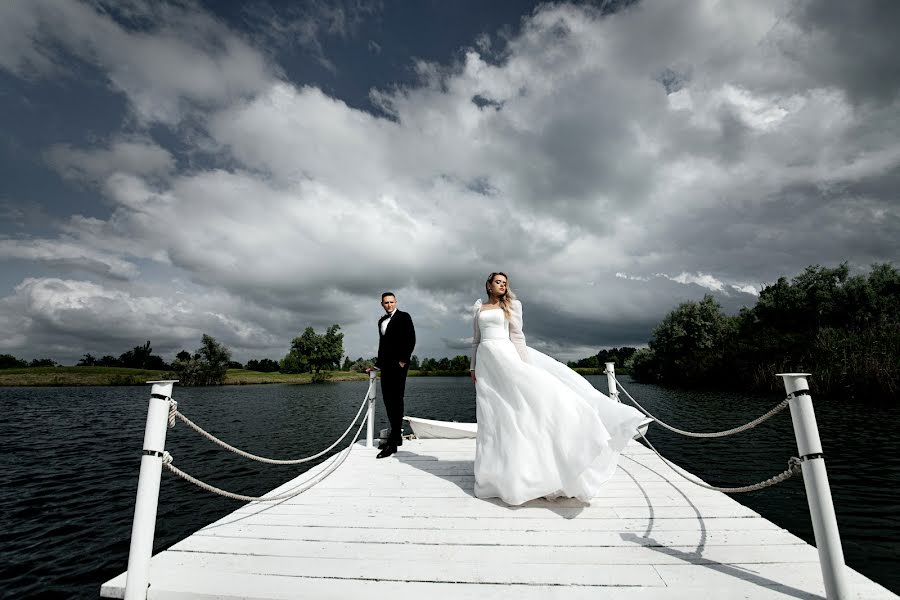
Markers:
point(185, 59)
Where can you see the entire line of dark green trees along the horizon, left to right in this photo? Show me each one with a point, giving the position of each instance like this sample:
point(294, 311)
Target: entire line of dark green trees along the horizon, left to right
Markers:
point(843, 329)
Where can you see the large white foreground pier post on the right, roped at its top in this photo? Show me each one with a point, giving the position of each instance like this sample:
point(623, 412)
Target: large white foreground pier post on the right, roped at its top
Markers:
point(815, 479)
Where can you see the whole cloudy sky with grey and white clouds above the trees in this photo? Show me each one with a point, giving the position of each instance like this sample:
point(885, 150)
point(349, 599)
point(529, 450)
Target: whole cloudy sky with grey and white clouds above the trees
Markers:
point(169, 169)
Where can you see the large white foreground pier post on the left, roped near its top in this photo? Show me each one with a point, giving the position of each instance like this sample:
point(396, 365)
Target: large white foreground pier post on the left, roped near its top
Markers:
point(144, 525)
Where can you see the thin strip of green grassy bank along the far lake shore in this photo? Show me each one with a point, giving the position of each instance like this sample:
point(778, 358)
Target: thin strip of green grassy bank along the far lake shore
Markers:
point(117, 376)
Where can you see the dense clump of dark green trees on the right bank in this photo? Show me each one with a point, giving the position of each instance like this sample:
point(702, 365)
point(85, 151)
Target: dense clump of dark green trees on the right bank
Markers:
point(843, 329)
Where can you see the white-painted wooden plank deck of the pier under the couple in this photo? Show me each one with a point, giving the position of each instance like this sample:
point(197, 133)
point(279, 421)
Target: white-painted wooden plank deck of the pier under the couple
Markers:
point(409, 526)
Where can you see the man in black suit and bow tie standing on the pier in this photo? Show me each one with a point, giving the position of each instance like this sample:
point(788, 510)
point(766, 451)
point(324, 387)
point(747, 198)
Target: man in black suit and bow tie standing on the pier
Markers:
point(396, 340)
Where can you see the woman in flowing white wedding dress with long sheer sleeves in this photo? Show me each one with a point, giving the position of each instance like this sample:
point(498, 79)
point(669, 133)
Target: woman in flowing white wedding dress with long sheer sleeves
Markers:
point(543, 429)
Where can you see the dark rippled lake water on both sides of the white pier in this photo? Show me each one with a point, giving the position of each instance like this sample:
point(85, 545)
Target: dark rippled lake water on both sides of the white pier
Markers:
point(69, 461)
